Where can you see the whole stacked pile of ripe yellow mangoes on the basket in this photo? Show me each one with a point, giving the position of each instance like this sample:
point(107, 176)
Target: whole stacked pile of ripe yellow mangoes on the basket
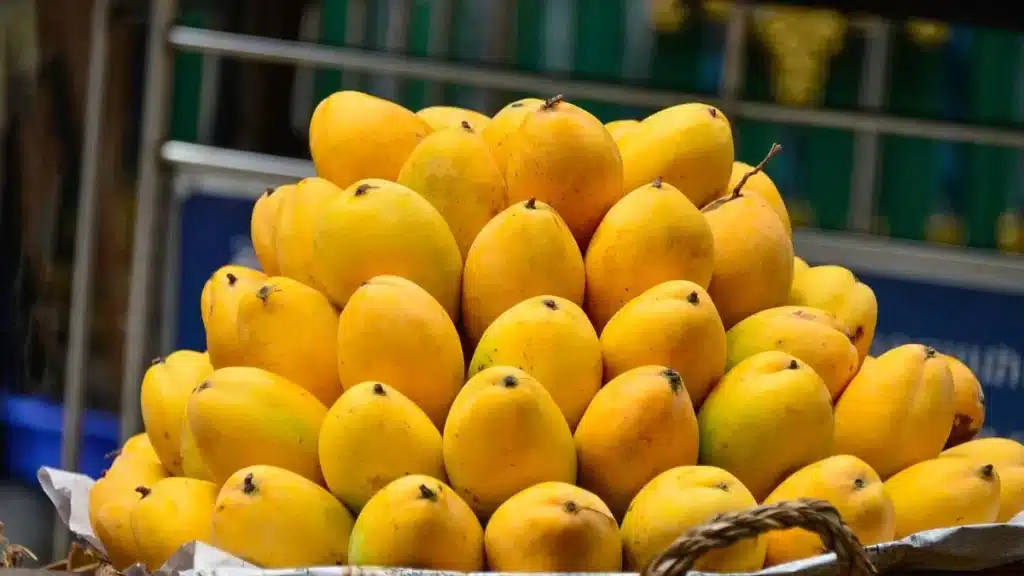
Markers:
point(537, 343)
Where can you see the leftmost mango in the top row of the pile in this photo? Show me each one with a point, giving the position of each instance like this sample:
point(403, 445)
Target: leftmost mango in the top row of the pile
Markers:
point(355, 136)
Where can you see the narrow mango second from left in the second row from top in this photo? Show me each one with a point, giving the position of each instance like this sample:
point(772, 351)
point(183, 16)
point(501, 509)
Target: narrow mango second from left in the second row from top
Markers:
point(298, 211)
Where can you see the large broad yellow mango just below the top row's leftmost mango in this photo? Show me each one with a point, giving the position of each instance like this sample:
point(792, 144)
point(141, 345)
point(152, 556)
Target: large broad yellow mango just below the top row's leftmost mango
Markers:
point(380, 228)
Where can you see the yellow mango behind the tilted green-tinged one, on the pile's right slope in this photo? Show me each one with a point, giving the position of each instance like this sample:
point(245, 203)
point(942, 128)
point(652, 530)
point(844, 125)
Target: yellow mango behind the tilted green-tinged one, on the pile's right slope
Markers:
point(838, 292)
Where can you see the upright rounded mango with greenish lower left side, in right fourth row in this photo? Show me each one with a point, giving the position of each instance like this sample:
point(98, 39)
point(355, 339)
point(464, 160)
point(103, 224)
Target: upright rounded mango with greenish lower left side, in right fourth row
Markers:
point(771, 416)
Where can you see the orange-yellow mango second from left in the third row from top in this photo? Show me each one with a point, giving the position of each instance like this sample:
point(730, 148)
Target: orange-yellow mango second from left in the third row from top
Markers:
point(288, 328)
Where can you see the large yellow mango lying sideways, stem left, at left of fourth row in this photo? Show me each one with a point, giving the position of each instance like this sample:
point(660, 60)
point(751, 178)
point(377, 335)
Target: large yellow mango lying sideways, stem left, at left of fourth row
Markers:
point(241, 417)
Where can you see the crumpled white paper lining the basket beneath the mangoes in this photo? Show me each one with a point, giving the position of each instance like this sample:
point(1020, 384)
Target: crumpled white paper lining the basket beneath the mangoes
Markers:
point(966, 549)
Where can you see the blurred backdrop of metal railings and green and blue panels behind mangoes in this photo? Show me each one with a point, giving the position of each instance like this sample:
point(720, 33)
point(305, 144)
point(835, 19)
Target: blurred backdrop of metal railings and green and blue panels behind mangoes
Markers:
point(132, 159)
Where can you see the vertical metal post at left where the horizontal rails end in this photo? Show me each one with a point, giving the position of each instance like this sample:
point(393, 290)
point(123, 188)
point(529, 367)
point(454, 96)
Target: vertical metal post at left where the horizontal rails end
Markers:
point(155, 116)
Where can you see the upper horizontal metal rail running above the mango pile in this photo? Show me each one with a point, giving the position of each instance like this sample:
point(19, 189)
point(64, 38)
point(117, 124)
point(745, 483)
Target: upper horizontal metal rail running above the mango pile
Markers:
point(287, 52)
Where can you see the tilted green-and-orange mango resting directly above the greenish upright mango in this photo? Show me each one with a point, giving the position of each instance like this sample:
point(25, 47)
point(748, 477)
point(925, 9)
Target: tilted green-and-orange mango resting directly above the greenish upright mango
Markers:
point(810, 335)
